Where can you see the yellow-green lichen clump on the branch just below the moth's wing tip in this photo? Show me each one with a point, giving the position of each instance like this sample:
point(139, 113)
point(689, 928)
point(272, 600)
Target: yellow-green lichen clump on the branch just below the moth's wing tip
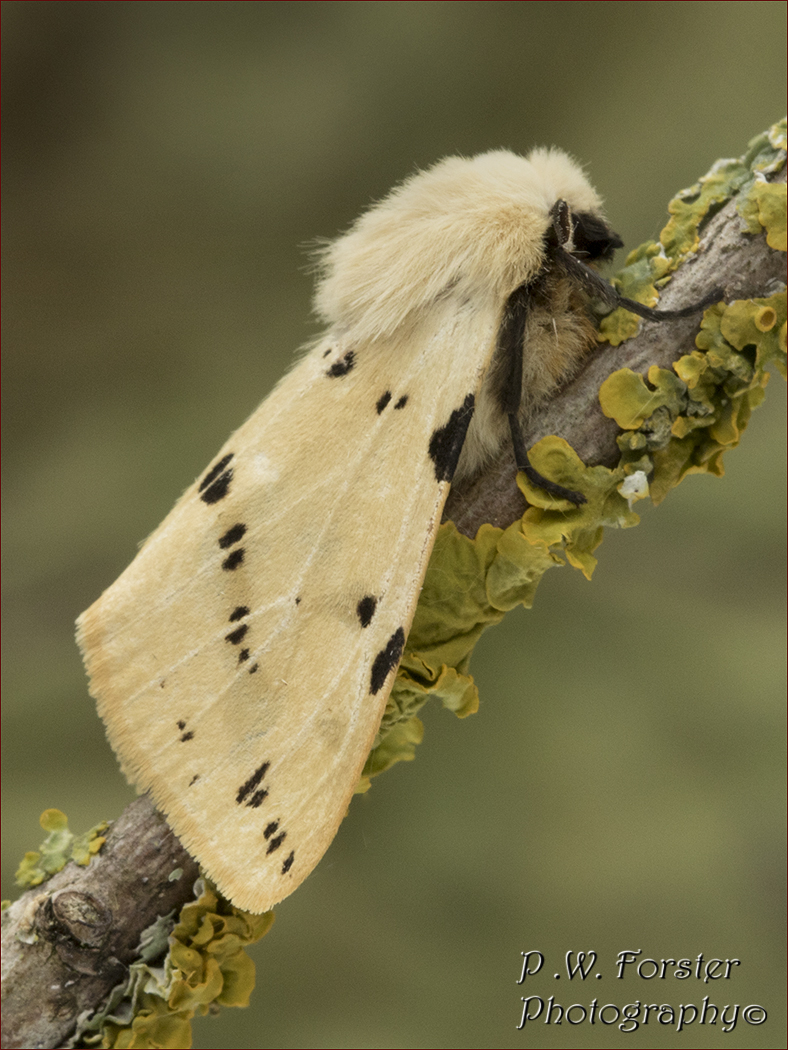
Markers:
point(183, 969)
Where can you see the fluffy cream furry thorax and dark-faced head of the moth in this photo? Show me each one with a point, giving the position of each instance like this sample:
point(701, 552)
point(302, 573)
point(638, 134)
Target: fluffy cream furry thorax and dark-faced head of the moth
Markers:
point(471, 227)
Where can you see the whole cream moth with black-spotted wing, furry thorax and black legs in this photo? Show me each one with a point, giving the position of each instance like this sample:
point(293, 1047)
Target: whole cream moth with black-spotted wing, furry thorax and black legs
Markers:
point(242, 663)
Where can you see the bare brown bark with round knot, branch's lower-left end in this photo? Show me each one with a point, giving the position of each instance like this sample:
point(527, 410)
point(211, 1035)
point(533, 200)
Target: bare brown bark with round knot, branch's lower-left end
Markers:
point(66, 944)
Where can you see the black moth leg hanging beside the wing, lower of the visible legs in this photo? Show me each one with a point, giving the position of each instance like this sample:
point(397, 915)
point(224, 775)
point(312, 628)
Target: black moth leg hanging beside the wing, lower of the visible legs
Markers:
point(511, 341)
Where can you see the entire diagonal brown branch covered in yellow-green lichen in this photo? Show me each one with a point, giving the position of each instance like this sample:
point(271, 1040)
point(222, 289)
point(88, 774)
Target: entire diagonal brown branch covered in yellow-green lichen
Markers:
point(68, 942)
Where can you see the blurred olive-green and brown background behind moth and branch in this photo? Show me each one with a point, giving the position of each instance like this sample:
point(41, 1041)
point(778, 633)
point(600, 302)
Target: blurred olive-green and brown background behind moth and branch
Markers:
point(165, 165)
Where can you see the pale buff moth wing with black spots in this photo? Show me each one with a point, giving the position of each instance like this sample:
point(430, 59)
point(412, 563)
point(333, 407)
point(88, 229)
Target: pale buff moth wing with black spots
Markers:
point(242, 663)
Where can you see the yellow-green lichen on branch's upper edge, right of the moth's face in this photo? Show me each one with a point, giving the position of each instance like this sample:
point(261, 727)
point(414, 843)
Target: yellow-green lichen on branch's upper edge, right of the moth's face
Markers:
point(760, 203)
